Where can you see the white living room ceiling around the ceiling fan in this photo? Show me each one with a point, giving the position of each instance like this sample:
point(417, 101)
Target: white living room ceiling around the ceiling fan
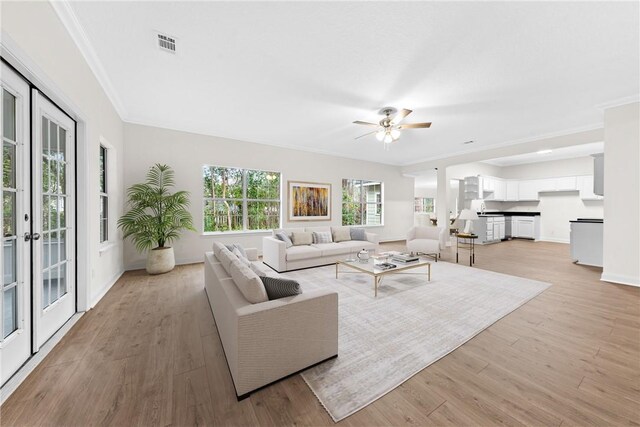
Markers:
point(297, 74)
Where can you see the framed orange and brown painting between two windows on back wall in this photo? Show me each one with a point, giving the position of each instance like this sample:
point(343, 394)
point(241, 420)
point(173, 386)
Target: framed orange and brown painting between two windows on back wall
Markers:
point(309, 201)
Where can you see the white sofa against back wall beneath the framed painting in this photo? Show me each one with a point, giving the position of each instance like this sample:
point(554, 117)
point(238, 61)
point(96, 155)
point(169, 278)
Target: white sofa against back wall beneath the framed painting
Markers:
point(277, 256)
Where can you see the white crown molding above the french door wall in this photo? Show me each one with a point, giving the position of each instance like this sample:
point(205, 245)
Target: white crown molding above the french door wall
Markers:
point(70, 21)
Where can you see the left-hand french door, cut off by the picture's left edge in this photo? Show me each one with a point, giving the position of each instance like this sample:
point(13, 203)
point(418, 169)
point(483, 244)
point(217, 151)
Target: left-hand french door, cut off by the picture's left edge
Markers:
point(15, 292)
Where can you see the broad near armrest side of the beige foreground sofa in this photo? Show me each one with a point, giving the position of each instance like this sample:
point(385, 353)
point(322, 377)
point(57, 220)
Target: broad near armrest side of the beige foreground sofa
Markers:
point(277, 338)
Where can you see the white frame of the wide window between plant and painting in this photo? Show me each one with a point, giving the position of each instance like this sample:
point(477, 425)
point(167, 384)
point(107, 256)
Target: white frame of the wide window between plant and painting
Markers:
point(243, 200)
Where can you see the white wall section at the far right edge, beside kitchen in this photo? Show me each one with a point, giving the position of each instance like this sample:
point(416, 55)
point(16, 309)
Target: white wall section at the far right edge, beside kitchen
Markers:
point(622, 195)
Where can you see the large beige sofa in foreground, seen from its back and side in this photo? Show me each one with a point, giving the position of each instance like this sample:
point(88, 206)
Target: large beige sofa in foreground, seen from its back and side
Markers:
point(267, 341)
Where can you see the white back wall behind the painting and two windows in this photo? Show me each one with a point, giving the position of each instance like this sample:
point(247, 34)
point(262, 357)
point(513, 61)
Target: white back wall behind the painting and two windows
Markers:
point(188, 152)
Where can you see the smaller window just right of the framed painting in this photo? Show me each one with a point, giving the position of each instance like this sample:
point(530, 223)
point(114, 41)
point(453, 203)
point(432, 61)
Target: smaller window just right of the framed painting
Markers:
point(361, 202)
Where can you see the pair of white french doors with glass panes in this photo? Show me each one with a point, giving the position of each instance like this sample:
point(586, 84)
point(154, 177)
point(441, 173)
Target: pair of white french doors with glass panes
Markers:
point(38, 237)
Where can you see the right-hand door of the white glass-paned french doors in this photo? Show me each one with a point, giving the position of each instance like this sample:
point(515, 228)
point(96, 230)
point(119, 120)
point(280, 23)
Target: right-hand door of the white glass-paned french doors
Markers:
point(53, 198)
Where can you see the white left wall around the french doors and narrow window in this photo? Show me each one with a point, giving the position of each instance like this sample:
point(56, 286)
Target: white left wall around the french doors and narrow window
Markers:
point(36, 31)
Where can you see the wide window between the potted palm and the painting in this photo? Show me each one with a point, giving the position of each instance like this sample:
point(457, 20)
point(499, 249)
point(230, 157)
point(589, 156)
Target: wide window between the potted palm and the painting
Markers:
point(240, 199)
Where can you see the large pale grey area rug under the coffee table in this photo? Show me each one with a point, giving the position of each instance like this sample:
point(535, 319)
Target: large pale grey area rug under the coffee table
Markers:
point(412, 323)
